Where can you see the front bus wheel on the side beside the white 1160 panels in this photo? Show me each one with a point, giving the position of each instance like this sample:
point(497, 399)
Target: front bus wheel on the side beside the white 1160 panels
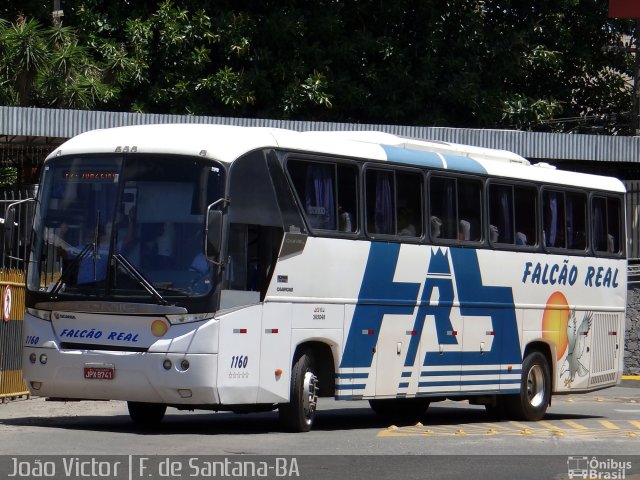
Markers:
point(299, 413)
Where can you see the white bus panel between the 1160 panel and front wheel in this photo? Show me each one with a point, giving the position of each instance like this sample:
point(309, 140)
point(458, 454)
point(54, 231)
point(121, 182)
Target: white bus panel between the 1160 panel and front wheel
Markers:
point(275, 353)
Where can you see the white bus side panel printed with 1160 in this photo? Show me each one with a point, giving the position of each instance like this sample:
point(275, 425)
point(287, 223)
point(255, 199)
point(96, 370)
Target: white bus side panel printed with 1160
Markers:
point(239, 356)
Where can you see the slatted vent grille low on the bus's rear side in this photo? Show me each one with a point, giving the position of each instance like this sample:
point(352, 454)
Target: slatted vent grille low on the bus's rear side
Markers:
point(604, 348)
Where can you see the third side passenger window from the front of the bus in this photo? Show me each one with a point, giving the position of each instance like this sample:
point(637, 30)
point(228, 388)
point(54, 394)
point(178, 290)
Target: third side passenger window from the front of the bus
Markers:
point(455, 208)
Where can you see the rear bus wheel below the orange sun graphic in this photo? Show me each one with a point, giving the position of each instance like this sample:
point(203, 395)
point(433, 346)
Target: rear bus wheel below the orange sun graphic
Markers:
point(535, 389)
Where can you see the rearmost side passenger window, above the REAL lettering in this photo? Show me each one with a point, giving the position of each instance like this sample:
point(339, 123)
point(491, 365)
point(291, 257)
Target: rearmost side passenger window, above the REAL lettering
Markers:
point(606, 215)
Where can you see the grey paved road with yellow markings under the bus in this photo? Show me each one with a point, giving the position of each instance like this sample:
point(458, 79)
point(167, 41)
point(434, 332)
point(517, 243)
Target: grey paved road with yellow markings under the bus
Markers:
point(604, 424)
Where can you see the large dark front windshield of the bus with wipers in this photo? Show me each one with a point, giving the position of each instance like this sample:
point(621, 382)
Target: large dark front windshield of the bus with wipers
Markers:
point(124, 227)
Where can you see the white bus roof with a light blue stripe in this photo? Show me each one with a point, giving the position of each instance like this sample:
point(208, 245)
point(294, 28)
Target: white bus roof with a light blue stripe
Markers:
point(226, 143)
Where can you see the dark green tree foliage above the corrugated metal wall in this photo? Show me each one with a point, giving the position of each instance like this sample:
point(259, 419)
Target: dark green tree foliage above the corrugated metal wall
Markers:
point(557, 65)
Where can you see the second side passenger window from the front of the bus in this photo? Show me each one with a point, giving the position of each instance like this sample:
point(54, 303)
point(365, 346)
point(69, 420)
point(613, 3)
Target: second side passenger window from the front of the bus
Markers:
point(394, 203)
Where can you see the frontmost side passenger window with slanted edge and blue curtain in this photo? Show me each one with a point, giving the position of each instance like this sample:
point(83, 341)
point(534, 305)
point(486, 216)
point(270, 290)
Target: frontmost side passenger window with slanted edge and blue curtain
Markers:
point(328, 193)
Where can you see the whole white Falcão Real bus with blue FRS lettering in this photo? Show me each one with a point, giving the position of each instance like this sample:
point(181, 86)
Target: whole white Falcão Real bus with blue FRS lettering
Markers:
point(254, 269)
